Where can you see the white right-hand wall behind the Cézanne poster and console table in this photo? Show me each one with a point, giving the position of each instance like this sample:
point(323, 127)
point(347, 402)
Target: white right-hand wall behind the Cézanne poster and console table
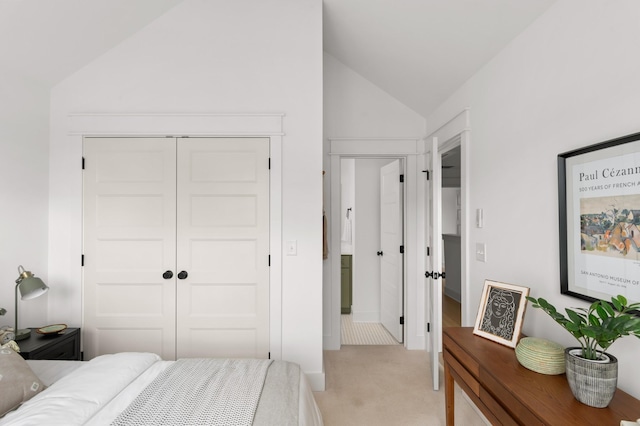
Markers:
point(570, 80)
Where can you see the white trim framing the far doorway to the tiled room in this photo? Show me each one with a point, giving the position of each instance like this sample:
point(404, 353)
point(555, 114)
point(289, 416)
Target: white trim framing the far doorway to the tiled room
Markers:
point(407, 149)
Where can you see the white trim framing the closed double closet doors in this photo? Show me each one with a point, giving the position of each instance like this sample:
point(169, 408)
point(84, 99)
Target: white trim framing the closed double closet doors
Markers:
point(125, 124)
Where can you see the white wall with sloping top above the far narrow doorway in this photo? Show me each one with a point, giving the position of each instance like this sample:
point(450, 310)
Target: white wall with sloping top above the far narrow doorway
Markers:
point(355, 108)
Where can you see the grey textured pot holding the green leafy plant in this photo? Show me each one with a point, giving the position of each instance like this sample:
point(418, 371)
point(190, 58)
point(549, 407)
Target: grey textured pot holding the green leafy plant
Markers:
point(592, 382)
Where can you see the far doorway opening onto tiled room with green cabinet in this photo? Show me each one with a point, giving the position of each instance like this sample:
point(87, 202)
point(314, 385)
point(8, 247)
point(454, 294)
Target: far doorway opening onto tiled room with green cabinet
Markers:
point(371, 240)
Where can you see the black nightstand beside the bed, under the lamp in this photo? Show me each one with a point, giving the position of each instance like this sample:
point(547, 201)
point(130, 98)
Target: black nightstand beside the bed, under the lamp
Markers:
point(65, 345)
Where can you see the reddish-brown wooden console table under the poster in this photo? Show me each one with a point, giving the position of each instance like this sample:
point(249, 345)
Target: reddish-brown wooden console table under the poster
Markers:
point(509, 394)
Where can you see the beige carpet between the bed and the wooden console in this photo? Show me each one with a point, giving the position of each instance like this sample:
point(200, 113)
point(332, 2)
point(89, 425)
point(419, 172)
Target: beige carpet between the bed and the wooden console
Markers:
point(385, 386)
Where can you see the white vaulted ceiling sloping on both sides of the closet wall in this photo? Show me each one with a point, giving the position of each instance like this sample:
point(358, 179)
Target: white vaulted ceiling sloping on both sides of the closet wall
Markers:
point(419, 51)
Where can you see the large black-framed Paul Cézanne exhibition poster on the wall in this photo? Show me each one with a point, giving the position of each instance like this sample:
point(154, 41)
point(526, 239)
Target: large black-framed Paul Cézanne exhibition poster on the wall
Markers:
point(599, 212)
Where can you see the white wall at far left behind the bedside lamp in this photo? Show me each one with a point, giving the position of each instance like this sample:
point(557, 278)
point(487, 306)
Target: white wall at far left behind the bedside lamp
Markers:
point(24, 170)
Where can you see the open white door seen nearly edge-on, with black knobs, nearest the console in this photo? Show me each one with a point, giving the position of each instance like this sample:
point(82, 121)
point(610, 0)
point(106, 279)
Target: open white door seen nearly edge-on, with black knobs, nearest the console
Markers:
point(434, 261)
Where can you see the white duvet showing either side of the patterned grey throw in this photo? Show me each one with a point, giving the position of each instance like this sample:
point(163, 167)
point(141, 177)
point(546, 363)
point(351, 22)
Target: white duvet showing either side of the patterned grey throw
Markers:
point(97, 391)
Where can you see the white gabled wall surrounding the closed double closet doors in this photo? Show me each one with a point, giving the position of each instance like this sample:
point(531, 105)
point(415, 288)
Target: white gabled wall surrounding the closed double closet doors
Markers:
point(227, 56)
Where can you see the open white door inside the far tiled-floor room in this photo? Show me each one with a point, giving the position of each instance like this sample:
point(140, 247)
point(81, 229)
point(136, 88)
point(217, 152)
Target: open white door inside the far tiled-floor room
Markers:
point(391, 262)
